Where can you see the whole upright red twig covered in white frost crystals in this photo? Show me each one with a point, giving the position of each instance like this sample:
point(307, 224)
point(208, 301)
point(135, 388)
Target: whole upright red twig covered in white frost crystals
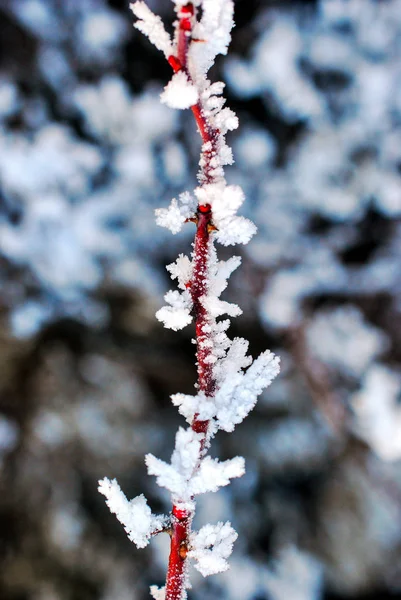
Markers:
point(229, 380)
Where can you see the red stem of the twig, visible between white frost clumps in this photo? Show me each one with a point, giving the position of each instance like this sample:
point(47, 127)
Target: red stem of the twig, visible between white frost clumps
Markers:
point(181, 519)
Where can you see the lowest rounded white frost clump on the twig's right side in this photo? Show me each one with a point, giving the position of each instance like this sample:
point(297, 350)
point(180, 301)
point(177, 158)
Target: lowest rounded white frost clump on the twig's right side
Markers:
point(211, 546)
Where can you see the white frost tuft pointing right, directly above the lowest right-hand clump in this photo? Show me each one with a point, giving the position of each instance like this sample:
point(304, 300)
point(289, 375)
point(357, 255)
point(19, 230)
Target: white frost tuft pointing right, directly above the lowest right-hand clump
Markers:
point(213, 474)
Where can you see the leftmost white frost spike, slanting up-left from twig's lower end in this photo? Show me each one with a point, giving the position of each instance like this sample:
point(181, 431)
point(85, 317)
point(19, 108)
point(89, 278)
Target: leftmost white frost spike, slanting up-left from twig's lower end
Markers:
point(135, 514)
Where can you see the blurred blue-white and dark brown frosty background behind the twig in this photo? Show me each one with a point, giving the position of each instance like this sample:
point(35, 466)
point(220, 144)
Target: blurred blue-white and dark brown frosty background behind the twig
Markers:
point(87, 152)
